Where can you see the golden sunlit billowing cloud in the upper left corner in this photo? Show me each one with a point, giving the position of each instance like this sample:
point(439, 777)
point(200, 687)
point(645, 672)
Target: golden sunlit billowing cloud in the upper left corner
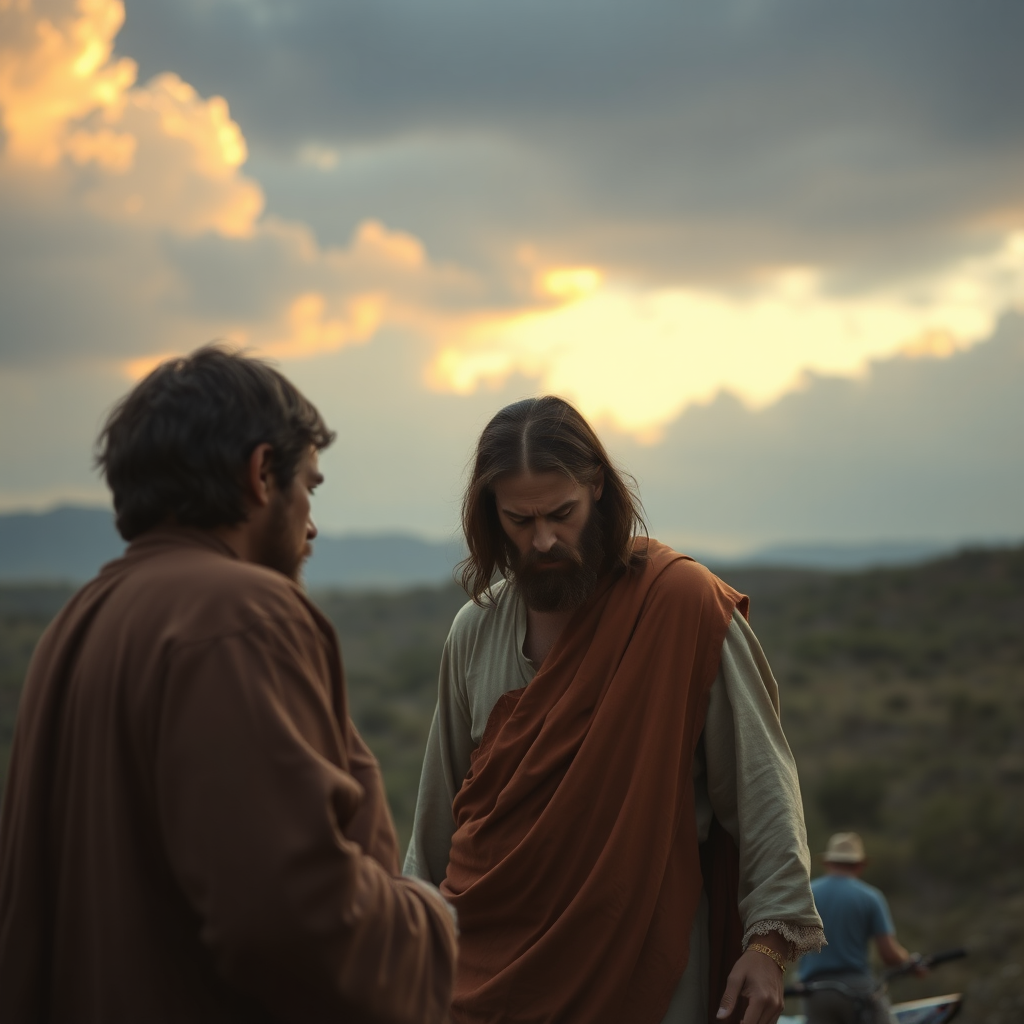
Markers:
point(166, 157)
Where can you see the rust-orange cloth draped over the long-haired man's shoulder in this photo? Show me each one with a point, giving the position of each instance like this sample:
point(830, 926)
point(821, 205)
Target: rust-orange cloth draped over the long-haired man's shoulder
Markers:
point(575, 866)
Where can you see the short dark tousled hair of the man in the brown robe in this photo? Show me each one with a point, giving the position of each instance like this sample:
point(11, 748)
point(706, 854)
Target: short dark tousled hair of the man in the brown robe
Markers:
point(177, 447)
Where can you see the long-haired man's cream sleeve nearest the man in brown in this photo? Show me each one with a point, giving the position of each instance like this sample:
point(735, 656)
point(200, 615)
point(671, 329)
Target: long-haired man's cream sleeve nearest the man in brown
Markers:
point(446, 763)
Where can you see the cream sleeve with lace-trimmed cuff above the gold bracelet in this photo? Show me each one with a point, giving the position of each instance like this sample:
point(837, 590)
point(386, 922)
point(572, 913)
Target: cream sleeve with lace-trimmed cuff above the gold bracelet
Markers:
point(755, 793)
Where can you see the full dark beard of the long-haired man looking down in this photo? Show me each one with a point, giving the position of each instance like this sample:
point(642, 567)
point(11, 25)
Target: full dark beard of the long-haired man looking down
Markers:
point(561, 588)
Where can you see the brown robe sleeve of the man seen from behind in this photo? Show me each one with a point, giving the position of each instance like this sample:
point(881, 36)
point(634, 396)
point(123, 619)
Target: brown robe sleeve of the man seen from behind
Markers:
point(254, 794)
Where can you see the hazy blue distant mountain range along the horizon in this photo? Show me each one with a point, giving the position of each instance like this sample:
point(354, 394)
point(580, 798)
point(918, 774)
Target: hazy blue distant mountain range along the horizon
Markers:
point(69, 545)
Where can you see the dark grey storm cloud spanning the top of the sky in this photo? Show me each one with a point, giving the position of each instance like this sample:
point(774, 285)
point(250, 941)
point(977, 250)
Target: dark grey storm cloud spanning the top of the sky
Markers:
point(673, 140)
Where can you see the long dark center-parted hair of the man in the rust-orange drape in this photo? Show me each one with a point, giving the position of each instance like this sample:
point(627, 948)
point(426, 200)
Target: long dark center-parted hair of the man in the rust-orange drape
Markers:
point(540, 436)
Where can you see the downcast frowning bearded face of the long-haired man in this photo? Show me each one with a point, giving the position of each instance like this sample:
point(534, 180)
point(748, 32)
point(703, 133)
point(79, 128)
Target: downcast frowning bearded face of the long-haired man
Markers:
point(557, 539)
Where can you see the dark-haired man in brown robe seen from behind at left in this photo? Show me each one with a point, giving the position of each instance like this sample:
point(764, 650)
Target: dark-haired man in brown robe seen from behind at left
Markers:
point(193, 829)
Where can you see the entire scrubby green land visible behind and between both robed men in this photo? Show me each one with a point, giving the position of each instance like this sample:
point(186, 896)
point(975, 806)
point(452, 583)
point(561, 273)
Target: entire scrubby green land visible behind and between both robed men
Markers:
point(903, 698)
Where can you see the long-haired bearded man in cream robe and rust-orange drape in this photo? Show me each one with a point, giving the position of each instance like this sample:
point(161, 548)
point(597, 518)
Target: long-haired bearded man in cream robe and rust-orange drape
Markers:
point(608, 798)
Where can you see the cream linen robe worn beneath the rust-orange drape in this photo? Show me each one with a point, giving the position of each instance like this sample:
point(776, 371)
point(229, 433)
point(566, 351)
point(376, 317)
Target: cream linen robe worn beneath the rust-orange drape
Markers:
point(744, 775)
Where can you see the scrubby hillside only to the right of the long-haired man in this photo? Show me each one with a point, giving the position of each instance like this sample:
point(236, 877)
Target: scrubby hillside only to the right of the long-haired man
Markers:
point(904, 701)
